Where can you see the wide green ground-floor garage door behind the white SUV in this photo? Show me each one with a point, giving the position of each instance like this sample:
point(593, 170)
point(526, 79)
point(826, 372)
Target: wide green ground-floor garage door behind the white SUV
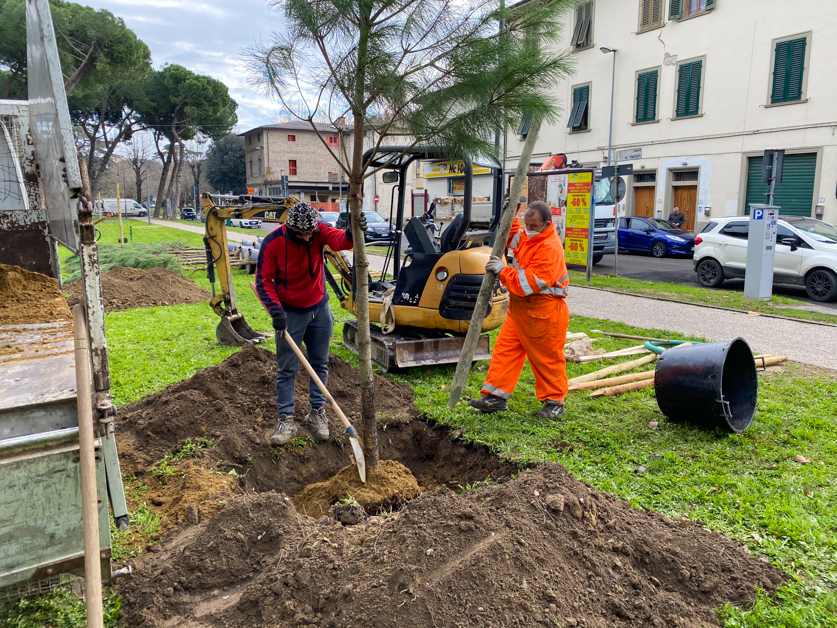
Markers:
point(795, 194)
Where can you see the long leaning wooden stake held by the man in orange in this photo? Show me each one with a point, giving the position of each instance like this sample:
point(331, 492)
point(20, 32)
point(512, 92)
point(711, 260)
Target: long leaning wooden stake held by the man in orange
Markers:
point(466, 357)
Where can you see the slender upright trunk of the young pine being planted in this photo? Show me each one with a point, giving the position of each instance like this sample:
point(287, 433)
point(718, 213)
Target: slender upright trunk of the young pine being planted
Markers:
point(361, 263)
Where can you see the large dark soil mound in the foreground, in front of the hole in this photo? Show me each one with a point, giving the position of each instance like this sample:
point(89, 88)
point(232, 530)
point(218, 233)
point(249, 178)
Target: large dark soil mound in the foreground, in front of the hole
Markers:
point(540, 550)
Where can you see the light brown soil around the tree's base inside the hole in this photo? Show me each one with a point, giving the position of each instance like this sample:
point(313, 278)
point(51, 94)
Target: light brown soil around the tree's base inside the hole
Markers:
point(392, 482)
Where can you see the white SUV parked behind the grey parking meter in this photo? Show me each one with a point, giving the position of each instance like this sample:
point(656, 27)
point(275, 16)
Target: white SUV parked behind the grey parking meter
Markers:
point(806, 254)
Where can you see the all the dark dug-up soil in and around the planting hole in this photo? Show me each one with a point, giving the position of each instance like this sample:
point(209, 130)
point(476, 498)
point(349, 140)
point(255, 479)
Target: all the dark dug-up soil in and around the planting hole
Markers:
point(542, 549)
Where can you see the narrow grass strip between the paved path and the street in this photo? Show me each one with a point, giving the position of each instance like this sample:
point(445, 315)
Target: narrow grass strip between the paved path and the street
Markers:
point(694, 294)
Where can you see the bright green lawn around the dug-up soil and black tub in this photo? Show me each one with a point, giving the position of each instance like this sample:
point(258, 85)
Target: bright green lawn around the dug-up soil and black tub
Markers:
point(746, 486)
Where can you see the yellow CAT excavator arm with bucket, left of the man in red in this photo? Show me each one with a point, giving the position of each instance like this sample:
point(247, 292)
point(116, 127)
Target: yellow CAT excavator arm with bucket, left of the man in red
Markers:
point(233, 328)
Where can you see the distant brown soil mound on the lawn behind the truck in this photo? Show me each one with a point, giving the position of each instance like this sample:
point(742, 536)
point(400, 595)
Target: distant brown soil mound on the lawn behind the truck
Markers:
point(124, 288)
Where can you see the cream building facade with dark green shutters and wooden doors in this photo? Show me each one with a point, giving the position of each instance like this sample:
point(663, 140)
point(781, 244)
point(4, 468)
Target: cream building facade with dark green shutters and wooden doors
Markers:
point(701, 88)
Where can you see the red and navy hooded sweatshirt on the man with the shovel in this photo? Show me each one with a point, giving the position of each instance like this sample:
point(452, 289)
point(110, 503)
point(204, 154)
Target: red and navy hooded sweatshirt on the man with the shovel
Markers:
point(290, 275)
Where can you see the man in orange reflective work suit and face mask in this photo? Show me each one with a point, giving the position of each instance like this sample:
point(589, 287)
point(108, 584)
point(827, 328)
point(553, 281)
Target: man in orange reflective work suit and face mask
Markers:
point(537, 320)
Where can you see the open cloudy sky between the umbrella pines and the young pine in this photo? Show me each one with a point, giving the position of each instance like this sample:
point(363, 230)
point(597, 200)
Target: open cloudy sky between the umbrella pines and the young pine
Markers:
point(207, 37)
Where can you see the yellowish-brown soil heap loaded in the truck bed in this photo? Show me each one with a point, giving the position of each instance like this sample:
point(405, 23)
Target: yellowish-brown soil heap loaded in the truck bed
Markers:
point(27, 297)
